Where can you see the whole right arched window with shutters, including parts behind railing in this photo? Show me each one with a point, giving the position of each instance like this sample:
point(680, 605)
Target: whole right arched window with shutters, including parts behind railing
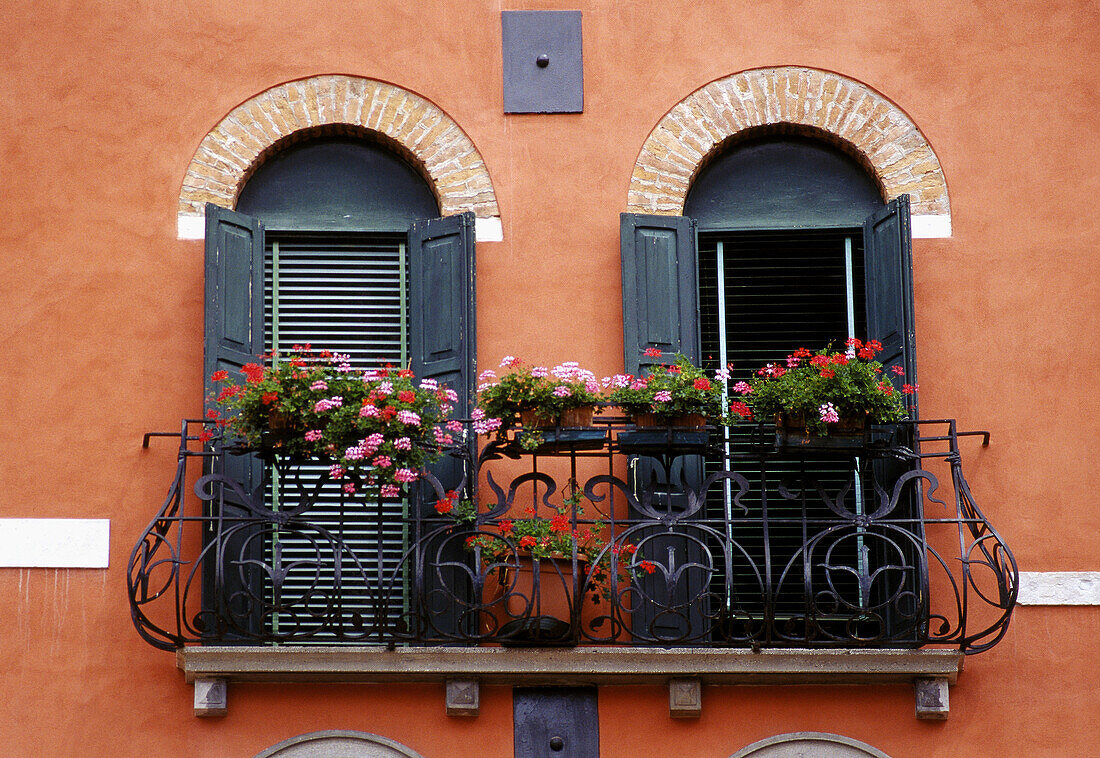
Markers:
point(785, 243)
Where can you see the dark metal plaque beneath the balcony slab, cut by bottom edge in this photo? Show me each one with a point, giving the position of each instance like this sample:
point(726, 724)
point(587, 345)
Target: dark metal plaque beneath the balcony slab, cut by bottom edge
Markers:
point(556, 722)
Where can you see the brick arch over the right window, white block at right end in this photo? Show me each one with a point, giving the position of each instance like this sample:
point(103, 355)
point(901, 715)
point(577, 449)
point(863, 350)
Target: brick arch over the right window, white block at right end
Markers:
point(800, 101)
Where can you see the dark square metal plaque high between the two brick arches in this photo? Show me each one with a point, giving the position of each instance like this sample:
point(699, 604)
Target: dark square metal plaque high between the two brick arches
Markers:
point(543, 62)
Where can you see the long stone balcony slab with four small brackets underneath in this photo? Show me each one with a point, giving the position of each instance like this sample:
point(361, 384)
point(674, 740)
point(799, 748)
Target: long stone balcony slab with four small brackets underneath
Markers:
point(464, 671)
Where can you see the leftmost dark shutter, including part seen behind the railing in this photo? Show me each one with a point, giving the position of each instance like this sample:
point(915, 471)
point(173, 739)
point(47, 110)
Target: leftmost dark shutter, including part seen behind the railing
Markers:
point(235, 336)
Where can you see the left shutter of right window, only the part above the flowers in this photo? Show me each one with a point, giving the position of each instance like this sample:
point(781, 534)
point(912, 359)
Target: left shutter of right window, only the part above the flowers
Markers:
point(661, 288)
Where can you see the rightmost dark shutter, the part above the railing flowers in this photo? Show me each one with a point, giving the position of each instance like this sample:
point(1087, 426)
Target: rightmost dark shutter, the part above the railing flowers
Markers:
point(888, 256)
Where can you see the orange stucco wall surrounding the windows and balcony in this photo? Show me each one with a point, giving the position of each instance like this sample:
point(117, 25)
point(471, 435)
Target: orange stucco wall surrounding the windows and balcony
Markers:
point(104, 107)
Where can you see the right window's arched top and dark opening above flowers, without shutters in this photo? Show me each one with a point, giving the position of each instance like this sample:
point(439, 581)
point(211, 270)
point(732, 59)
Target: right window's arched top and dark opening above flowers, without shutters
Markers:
point(780, 234)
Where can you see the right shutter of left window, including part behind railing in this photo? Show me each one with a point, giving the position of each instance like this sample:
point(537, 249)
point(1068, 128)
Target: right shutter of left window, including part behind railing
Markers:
point(443, 347)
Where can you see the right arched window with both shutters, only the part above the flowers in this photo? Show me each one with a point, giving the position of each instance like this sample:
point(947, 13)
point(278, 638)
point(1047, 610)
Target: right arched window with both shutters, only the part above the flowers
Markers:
point(778, 208)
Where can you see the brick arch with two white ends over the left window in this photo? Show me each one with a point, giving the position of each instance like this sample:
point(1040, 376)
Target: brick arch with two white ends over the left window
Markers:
point(338, 105)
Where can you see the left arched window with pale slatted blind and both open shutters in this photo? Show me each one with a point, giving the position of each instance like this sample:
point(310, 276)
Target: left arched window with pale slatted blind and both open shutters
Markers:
point(335, 243)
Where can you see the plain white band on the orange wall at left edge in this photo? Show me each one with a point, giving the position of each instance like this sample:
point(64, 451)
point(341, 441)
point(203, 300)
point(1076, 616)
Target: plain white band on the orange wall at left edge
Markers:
point(54, 543)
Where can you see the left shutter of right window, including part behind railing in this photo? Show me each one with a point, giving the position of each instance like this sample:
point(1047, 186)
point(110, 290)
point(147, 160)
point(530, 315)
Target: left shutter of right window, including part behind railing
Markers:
point(661, 309)
